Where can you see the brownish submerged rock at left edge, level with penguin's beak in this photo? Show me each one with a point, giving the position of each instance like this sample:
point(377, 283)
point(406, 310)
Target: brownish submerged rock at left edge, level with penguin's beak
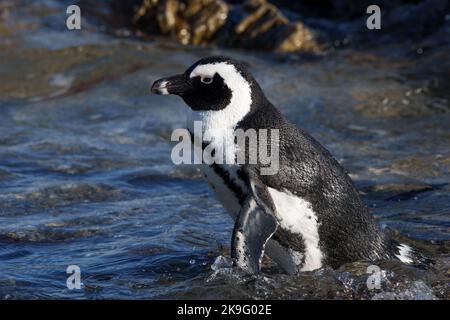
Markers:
point(38, 73)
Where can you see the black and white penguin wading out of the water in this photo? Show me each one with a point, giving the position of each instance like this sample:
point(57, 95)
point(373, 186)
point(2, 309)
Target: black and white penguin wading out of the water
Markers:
point(305, 216)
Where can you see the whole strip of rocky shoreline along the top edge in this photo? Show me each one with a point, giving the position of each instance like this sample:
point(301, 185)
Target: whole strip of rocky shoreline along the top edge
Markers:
point(287, 27)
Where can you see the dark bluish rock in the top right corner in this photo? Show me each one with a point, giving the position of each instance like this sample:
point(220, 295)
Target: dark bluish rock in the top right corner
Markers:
point(401, 20)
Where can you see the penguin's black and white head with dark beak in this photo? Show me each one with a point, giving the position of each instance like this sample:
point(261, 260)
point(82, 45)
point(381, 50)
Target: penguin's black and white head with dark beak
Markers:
point(212, 84)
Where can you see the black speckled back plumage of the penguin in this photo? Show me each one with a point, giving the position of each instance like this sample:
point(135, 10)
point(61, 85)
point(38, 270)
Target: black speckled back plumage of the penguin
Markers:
point(347, 231)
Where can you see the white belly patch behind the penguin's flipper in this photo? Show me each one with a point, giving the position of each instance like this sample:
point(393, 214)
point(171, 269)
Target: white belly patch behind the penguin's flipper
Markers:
point(297, 216)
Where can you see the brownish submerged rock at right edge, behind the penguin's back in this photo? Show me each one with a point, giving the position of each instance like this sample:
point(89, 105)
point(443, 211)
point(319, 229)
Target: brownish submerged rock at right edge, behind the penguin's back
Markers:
point(426, 91)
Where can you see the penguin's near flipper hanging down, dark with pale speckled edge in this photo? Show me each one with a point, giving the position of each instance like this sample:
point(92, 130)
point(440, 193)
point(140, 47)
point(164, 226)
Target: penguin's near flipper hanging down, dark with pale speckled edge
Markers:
point(254, 226)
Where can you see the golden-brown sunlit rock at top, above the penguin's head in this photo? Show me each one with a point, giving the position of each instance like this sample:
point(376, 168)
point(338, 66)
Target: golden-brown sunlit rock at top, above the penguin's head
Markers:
point(256, 24)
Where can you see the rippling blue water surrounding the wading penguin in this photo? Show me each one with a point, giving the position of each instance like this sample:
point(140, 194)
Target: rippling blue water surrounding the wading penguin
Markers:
point(86, 177)
